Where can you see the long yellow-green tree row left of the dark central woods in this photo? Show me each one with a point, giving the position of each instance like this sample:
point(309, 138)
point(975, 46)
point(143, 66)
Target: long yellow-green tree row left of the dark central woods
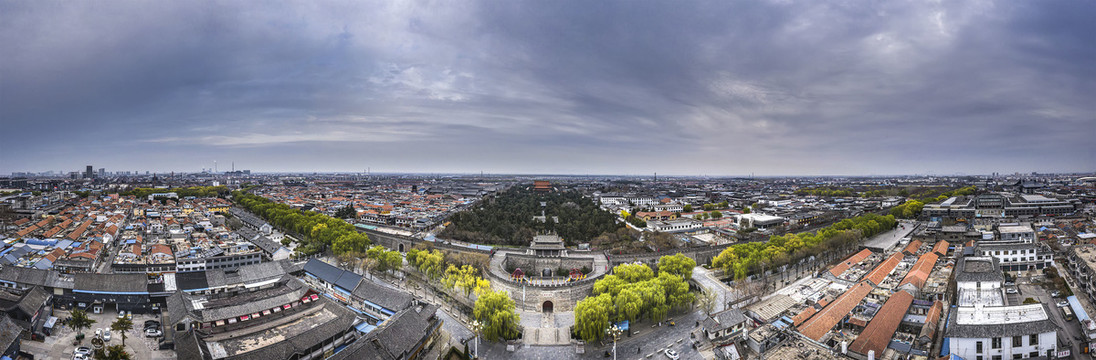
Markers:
point(318, 231)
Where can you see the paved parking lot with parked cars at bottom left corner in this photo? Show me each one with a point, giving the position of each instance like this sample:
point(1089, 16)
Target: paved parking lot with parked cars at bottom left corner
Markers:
point(61, 345)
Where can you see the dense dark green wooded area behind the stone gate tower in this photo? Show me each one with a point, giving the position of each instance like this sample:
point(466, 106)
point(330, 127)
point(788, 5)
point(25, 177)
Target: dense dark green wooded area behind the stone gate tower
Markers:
point(508, 219)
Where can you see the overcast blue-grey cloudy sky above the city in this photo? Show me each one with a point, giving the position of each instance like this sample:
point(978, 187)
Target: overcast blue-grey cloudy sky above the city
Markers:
point(551, 87)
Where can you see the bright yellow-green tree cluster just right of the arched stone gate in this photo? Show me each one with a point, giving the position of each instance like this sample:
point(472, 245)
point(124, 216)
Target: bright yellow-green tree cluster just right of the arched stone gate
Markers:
point(634, 292)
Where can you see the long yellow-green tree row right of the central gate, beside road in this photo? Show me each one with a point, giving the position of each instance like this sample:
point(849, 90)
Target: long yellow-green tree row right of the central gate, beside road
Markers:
point(743, 260)
